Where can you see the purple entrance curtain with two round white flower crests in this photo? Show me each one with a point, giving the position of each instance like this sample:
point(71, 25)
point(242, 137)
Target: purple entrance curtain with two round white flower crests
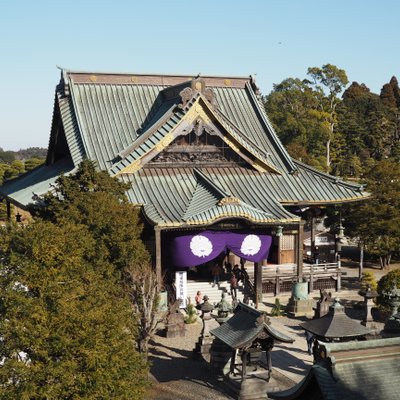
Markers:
point(192, 250)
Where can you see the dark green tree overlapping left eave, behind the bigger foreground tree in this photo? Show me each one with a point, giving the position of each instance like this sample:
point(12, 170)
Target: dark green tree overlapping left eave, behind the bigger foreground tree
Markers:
point(98, 201)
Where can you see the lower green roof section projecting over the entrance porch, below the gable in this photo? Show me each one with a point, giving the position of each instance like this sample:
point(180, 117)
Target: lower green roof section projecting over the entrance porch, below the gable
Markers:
point(187, 196)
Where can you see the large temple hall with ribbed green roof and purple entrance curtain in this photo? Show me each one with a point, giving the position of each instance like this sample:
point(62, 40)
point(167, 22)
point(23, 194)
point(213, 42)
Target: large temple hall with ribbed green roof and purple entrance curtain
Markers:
point(205, 166)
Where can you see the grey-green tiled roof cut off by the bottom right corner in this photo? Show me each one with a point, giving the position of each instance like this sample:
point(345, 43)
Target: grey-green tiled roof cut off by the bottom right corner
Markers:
point(355, 370)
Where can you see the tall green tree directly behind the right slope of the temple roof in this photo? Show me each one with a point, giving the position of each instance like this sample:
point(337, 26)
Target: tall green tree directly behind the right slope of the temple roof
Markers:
point(304, 114)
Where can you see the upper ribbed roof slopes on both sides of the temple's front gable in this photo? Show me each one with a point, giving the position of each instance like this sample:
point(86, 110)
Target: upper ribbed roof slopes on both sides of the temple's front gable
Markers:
point(111, 111)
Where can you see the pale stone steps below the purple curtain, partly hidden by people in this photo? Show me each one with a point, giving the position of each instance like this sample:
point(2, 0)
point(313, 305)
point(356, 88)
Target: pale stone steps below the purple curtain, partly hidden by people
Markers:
point(213, 292)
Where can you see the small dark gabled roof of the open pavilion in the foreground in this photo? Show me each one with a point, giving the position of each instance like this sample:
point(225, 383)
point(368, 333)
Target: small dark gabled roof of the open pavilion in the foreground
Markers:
point(245, 326)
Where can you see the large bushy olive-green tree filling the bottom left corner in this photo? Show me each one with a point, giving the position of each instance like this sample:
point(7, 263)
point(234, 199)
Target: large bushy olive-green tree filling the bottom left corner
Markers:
point(65, 323)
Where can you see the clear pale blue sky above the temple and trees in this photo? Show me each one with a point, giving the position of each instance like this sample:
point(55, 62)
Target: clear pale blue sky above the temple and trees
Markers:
point(274, 39)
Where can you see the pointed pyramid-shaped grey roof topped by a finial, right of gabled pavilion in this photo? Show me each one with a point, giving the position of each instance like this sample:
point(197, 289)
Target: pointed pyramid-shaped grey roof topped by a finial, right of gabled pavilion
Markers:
point(336, 324)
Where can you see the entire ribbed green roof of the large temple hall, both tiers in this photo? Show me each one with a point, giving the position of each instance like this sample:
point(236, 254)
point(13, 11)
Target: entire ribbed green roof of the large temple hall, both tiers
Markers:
point(122, 120)
